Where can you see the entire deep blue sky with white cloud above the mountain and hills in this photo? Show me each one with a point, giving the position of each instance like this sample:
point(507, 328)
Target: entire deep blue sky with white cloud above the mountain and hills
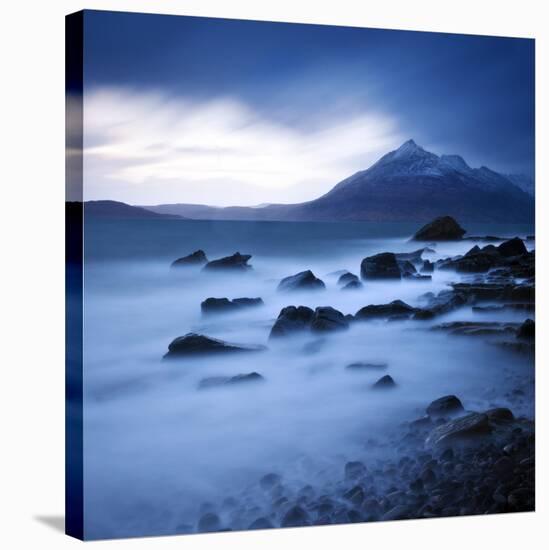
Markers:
point(230, 112)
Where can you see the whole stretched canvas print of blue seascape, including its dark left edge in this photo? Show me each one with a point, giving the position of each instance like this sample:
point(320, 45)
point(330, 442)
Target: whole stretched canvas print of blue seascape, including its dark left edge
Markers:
point(300, 275)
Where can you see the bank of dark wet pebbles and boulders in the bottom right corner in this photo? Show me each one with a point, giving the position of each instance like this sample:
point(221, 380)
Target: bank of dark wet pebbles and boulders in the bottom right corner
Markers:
point(448, 463)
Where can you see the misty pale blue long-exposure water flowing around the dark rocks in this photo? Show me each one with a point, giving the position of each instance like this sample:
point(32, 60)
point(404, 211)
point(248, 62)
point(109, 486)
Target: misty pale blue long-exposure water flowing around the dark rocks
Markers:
point(156, 448)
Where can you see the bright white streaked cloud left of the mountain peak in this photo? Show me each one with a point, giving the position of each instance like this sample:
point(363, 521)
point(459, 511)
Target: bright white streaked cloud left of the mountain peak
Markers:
point(149, 147)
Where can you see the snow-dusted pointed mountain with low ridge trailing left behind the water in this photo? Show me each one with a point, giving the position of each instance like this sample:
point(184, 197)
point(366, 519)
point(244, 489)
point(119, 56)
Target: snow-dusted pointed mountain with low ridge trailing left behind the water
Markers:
point(408, 184)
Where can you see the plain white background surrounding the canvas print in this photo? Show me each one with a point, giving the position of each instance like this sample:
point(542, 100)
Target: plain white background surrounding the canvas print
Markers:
point(32, 269)
